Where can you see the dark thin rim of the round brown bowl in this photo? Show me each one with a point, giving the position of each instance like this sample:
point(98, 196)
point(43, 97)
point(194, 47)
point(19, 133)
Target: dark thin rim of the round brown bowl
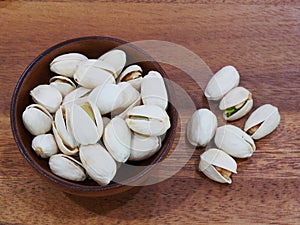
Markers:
point(70, 184)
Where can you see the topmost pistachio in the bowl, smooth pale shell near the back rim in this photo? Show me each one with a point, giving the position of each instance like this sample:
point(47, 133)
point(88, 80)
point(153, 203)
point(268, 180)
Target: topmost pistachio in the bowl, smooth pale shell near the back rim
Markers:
point(116, 58)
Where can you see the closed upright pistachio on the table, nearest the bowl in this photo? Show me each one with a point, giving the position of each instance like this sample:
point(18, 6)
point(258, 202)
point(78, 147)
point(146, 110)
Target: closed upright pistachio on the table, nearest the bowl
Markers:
point(201, 127)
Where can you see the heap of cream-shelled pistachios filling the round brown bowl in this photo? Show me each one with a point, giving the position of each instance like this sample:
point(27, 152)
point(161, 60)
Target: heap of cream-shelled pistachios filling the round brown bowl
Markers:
point(95, 114)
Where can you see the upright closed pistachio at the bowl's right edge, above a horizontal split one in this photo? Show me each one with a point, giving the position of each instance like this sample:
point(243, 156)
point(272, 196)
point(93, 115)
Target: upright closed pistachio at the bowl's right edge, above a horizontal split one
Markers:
point(153, 90)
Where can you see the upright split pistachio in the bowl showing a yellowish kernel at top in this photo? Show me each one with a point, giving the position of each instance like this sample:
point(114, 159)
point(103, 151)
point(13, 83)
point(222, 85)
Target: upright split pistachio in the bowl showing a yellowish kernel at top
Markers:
point(86, 123)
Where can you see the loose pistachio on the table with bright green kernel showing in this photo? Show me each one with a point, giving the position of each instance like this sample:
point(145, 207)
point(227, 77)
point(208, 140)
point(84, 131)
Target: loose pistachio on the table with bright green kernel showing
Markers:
point(236, 103)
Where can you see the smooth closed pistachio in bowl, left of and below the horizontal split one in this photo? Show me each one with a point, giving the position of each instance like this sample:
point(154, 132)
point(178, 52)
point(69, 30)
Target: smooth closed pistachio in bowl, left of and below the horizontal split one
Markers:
point(117, 138)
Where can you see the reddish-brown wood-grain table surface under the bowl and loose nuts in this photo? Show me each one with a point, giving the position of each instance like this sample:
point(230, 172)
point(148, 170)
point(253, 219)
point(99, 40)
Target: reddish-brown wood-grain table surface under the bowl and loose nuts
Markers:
point(260, 38)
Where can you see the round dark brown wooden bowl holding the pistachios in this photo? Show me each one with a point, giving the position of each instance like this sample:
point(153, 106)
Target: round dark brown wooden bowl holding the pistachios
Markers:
point(38, 72)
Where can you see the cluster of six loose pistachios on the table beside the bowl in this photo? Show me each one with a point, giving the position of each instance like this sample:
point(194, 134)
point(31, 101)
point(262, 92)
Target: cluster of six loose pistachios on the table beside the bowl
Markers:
point(231, 142)
